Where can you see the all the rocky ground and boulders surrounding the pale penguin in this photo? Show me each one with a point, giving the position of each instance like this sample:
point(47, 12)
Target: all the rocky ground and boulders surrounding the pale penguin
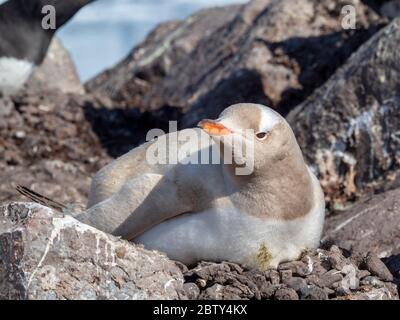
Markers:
point(338, 88)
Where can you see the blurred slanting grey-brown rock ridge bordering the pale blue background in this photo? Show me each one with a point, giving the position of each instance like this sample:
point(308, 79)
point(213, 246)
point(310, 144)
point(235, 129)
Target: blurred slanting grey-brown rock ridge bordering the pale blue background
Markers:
point(151, 61)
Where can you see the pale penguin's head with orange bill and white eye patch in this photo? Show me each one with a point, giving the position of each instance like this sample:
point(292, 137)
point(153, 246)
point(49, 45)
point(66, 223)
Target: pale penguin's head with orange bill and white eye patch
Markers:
point(252, 133)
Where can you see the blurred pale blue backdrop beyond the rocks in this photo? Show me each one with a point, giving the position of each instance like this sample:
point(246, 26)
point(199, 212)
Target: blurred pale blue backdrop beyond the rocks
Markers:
point(102, 33)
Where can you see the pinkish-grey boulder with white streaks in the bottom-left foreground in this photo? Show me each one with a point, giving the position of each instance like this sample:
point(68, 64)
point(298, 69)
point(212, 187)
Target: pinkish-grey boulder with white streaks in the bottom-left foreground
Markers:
point(44, 255)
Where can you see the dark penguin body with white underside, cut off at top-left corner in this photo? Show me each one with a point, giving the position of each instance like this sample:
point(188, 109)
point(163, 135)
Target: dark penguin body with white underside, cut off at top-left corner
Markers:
point(24, 41)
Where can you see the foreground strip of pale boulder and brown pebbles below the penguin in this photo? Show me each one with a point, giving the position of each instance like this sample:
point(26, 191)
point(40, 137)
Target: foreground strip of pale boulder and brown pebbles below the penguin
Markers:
point(46, 255)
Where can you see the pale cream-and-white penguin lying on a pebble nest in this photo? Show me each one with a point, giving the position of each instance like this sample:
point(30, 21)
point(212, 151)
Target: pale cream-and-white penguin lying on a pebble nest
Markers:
point(195, 212)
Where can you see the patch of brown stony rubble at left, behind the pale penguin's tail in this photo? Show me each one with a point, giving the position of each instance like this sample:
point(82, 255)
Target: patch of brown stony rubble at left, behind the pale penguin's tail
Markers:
point(48, 143)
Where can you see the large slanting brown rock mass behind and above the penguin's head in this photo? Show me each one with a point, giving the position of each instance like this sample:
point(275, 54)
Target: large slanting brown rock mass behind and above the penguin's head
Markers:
point(271, 52)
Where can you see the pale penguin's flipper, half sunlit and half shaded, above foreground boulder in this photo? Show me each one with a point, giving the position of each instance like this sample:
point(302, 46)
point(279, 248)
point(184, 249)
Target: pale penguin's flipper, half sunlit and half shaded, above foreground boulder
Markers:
point(139, 205)
